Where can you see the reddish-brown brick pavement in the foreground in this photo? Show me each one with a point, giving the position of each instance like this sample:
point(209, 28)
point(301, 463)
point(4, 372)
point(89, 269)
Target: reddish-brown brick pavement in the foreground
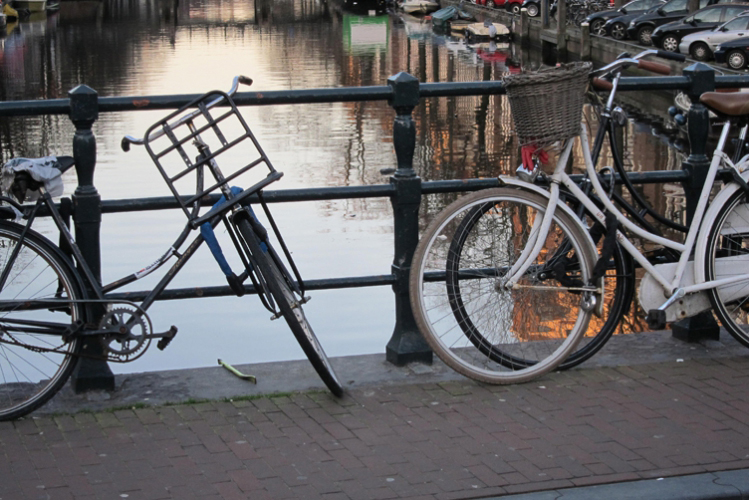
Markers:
point(447, 440)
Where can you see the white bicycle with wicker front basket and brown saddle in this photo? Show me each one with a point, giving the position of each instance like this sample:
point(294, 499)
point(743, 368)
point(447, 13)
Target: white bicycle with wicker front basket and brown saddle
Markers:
point(504, 281)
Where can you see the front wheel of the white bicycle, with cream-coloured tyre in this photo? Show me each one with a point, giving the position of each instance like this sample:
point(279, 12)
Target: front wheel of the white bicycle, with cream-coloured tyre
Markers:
point(476, 325)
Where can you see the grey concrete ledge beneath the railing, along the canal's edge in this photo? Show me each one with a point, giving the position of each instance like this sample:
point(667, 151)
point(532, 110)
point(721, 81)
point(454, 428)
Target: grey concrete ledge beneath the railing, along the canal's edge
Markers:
point(372, 370)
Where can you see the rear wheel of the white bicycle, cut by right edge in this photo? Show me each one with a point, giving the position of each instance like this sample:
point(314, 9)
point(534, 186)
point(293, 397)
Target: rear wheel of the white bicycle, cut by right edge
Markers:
point(727, 254)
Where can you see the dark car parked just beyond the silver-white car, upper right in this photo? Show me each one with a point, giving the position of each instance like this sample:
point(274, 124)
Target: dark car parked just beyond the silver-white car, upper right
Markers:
point(668, 36)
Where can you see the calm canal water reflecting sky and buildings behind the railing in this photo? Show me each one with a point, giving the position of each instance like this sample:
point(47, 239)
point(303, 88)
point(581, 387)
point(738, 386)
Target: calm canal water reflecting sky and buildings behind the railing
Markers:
point(152, 47)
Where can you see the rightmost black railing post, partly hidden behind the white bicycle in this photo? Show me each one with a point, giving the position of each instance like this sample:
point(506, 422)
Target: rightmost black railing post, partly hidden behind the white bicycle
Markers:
point(702, 76)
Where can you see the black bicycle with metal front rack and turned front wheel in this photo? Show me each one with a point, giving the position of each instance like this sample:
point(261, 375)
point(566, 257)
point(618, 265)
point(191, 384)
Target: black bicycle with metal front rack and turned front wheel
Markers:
point(49, 308)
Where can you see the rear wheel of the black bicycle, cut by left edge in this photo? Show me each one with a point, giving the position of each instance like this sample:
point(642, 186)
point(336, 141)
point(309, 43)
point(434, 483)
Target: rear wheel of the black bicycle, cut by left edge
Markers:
point(35, 362)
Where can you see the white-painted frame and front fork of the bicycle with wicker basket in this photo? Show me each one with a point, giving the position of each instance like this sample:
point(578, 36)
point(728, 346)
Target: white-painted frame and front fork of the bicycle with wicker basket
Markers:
point(673, 288)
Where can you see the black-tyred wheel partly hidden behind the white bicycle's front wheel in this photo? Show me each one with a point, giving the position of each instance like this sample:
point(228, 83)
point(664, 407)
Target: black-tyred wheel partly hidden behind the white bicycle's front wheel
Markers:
point(618, 285)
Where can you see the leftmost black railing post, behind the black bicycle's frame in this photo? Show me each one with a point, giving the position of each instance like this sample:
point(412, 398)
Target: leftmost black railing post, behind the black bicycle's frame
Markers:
point(90, 374)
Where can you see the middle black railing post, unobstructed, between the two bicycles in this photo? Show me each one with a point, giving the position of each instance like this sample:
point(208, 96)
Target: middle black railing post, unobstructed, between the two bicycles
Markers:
point(406, 345)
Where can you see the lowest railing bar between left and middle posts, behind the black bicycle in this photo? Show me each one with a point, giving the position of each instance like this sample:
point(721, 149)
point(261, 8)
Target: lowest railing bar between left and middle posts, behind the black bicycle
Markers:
point(225, 291)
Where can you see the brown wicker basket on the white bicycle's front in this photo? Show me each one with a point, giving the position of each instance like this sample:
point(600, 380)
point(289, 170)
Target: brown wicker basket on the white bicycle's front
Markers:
point(547, 105)
